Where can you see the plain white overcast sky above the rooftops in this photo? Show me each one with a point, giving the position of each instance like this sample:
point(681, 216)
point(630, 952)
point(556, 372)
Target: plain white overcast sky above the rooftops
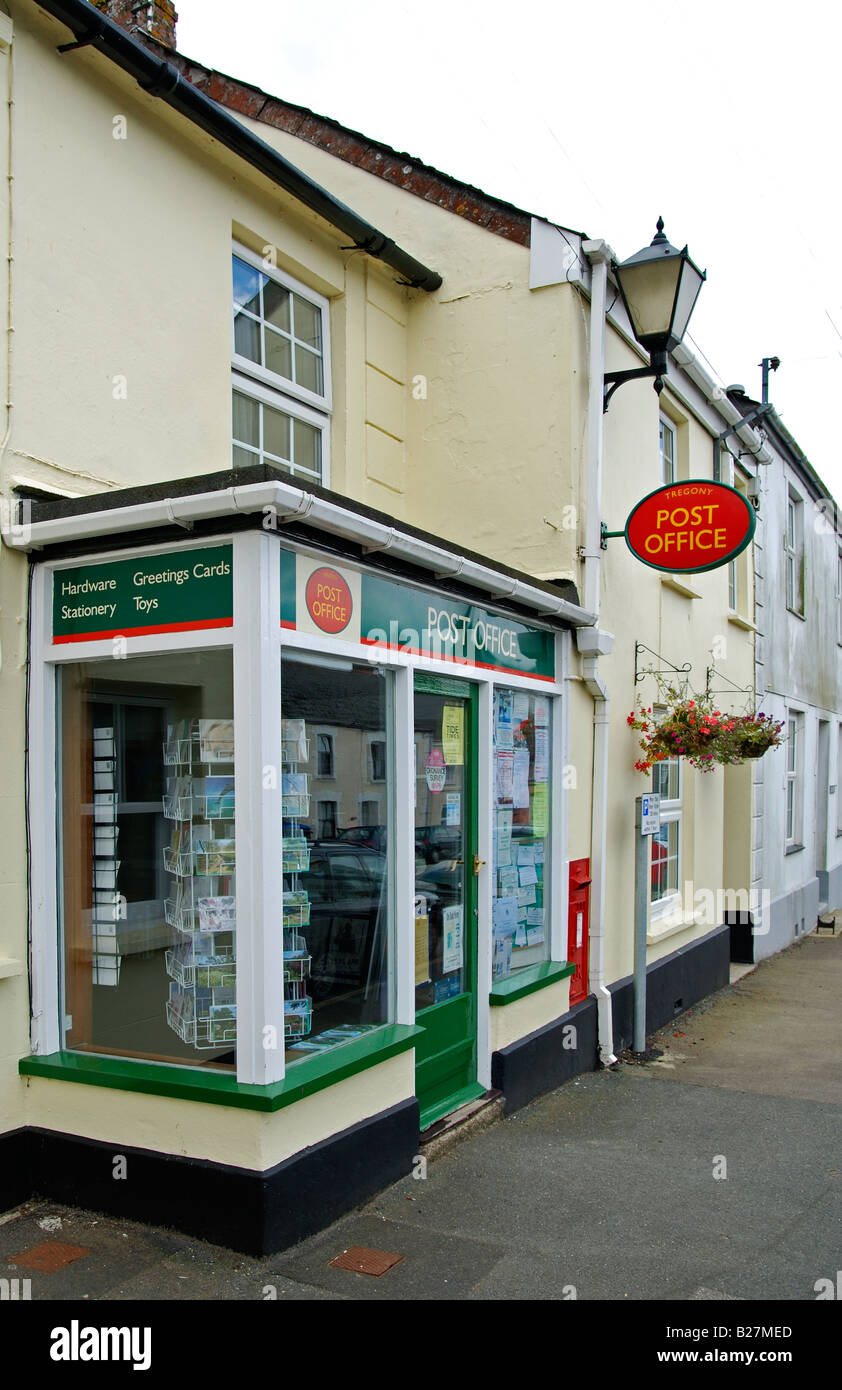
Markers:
point(725, 119)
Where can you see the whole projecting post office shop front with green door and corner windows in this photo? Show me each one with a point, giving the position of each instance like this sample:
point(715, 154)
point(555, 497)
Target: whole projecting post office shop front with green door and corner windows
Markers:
point(298, 851)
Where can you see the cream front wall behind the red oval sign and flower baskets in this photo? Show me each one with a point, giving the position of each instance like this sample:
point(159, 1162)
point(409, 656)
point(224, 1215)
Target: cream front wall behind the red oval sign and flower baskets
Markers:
point(686, 622)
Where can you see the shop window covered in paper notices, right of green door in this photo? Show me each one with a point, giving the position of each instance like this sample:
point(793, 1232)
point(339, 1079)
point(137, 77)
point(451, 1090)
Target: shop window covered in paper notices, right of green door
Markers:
point(522, 850)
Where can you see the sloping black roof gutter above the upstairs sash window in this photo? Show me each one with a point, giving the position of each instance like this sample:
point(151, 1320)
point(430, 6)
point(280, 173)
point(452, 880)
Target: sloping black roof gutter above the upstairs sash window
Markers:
point(160, 79)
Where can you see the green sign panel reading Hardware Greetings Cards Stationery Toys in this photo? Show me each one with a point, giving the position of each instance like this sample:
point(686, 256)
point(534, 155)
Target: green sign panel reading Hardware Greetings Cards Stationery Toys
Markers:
point(176, 593)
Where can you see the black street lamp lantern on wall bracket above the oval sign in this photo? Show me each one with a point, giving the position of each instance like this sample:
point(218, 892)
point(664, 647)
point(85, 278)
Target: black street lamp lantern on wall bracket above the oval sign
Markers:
point(659, 287)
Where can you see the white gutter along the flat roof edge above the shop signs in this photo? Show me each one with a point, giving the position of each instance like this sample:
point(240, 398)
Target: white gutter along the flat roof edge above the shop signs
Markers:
point(290, 504)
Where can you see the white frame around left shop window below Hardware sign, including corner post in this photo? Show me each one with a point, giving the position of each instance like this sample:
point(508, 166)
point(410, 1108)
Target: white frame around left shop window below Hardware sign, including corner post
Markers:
point(258, 821)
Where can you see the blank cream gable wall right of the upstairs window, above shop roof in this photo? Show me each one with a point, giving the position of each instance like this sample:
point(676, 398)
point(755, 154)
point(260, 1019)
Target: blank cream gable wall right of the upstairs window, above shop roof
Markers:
point(484, 391)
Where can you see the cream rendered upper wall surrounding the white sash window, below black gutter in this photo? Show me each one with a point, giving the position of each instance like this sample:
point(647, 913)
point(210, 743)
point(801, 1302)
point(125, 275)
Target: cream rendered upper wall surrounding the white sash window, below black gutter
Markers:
point(123, 358)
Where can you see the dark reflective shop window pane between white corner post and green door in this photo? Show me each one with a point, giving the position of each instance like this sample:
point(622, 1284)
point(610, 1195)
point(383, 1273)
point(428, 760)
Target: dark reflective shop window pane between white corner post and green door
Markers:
point(337, 885)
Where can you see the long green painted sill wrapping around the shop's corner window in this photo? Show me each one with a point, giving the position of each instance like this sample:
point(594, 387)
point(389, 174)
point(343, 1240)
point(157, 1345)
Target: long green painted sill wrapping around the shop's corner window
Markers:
point(217, 1089)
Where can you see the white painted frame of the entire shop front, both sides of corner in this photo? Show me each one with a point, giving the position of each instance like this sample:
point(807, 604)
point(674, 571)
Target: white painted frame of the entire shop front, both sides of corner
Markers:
point(258, 641)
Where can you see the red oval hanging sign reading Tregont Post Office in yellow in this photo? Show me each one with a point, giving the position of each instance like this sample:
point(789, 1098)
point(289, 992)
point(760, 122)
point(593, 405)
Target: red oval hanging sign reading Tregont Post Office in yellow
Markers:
point(690, 528)
